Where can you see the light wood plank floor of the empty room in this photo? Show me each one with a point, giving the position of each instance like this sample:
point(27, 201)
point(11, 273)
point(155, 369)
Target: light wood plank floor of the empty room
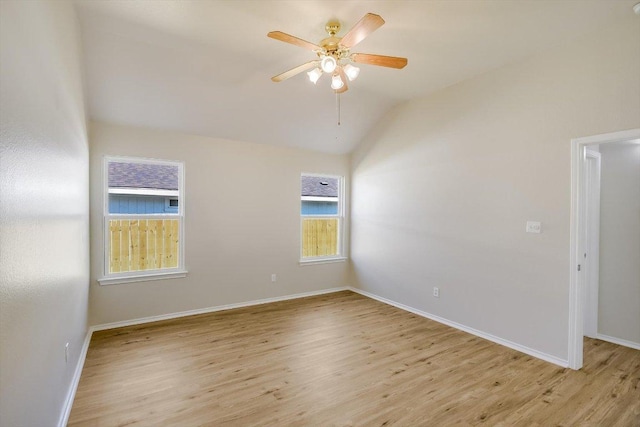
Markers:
point(341, 360)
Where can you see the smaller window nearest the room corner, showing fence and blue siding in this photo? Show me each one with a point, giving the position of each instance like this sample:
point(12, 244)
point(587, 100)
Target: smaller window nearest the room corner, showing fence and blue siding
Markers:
point(321, 217)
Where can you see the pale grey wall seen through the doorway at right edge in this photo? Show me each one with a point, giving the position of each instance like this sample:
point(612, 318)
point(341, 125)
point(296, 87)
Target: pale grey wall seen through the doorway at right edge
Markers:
point(619, 296)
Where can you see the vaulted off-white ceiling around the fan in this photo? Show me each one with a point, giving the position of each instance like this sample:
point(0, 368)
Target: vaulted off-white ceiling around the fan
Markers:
point(204, 67)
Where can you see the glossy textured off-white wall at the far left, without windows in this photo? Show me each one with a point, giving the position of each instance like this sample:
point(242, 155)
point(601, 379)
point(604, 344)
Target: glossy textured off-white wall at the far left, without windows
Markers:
point(44, 205)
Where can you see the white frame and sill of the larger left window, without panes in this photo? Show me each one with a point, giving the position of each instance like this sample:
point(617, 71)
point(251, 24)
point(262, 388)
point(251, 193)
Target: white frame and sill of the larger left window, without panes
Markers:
point(143, 275)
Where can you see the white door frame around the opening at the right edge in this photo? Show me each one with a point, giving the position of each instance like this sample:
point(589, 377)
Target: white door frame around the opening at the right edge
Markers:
point(576, 244)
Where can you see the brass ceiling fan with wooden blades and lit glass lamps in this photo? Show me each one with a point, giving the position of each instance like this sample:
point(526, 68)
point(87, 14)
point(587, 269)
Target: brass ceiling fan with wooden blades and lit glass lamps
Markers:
point(334, 53)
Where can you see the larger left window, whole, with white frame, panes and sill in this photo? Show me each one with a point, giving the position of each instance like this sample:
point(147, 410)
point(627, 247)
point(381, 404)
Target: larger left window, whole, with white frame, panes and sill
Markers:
point(143, 219)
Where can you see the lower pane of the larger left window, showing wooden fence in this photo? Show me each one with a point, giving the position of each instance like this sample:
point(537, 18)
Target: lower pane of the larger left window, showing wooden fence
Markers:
point(143, 244)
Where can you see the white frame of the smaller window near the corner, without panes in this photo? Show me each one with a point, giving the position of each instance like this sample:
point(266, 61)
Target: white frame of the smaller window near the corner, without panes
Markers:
point(340, 216)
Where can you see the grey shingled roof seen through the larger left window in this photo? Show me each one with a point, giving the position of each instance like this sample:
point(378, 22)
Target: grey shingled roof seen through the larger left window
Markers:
point(143, 175)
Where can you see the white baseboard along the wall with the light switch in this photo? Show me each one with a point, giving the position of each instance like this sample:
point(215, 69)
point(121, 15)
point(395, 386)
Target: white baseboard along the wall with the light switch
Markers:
point(515, 346)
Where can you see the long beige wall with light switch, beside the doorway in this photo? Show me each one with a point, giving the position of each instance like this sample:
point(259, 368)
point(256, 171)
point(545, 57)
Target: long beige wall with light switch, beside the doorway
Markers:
point(443, 188)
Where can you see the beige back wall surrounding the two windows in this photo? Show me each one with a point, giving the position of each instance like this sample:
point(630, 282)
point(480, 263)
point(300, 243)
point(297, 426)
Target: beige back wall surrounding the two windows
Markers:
point(242, 223)
